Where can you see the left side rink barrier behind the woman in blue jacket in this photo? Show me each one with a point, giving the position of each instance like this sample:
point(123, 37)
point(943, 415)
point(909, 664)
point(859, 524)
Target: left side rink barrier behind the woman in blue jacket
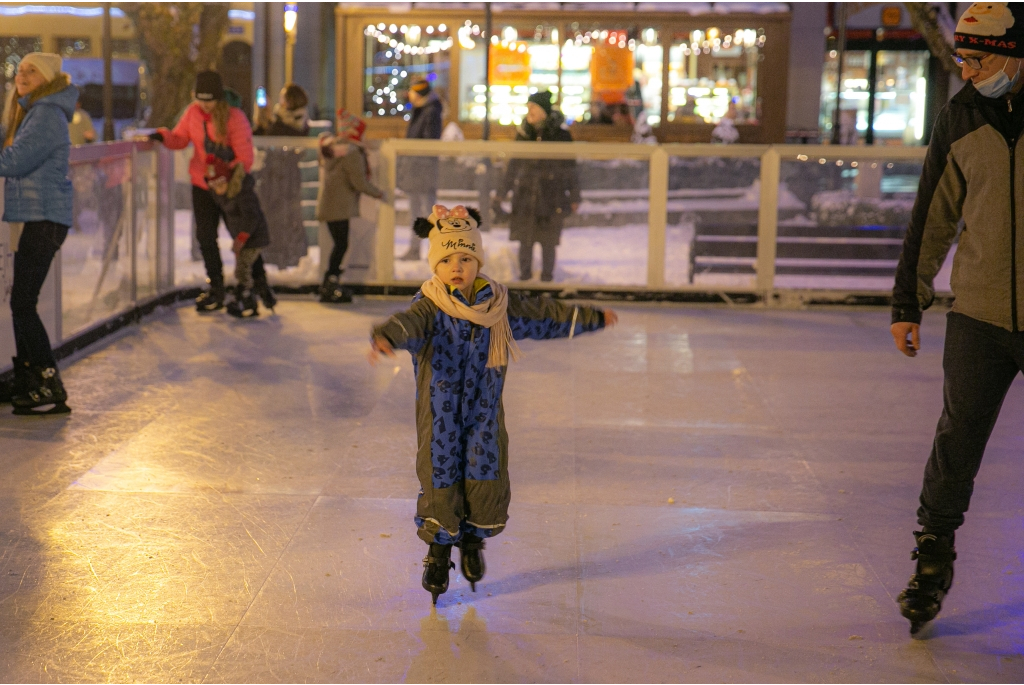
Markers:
point(119, 255)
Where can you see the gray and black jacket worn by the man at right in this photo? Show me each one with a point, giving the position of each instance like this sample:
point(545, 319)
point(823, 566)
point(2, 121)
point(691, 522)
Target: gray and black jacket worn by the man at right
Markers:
point(974, 172)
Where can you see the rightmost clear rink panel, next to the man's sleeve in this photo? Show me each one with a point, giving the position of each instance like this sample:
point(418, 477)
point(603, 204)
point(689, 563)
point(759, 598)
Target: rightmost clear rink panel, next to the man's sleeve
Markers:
point(842, 222)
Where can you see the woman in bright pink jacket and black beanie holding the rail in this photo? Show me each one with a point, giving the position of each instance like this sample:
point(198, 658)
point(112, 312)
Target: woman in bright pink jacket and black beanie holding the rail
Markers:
point(214, 127)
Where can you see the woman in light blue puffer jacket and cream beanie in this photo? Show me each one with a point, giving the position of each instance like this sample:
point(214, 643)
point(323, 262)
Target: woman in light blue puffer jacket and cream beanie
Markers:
point(34, 150)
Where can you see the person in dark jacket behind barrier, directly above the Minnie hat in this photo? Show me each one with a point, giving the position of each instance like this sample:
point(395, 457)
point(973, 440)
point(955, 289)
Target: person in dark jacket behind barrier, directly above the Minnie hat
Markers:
point(418, 176)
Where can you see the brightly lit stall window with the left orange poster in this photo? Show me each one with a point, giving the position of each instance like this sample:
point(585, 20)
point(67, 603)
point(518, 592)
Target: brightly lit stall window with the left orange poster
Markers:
point(524, 61)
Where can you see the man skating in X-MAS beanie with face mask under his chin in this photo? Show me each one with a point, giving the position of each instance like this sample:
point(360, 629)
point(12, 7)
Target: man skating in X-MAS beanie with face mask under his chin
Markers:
point(973, 170)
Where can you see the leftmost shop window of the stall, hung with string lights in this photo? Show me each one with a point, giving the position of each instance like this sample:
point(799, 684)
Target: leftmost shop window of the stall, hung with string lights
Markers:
point(395, 58)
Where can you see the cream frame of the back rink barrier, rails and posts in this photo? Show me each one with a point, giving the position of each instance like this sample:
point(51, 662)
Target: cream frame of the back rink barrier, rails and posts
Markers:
point(658, 158)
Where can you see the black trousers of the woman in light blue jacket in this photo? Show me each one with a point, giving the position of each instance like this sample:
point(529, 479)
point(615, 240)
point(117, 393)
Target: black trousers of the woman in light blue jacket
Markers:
point(36, 249)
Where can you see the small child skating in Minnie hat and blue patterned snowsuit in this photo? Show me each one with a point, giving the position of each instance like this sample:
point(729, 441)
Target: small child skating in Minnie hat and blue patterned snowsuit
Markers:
point(461, 331)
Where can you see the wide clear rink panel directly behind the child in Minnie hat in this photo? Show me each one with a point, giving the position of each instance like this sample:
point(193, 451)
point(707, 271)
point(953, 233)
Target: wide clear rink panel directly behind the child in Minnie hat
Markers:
point(591, 215)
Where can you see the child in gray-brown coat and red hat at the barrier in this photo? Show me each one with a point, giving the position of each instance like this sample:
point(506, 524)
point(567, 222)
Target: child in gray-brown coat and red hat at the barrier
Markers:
point(345, 175)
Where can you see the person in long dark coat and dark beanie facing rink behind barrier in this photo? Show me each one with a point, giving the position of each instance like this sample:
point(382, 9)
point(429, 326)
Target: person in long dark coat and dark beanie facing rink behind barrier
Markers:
point(544, 192)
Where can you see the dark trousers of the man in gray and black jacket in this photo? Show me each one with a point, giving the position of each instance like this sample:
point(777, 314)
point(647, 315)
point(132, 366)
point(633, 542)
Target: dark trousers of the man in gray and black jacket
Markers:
point(980, 363)
